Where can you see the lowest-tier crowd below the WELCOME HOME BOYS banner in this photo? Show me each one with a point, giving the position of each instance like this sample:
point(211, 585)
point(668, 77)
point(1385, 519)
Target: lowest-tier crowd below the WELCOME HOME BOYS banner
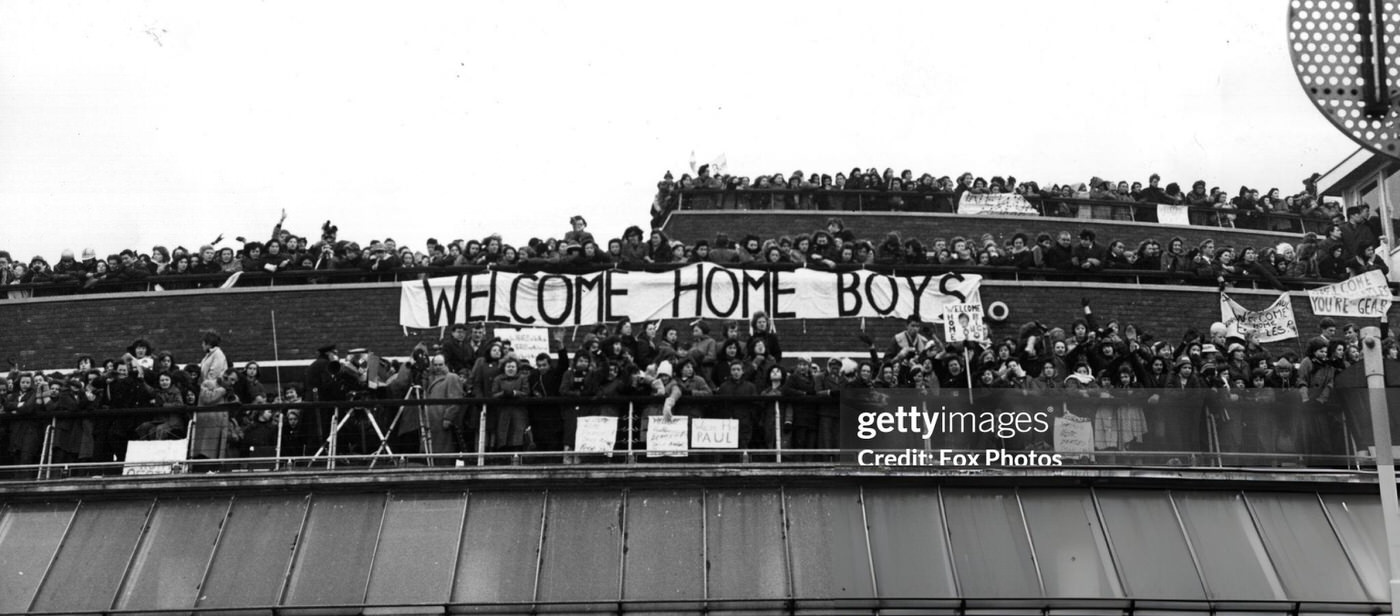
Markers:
point(1242, 398)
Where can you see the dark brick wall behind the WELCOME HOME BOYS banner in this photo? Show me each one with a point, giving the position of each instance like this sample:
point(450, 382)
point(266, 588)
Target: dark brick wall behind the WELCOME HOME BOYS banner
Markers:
point(54, 332)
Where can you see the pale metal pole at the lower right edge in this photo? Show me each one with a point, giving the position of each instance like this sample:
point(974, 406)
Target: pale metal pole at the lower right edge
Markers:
point(1385, 457)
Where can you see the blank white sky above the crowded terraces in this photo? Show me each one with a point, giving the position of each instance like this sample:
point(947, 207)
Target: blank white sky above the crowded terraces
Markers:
point(132, 124)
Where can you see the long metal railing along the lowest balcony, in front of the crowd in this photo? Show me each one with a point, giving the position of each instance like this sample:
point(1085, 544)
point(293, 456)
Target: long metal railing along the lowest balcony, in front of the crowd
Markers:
point(313, 443)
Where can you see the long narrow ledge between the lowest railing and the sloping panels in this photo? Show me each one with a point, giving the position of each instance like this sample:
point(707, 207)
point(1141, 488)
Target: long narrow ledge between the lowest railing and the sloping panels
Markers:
point(671, 475)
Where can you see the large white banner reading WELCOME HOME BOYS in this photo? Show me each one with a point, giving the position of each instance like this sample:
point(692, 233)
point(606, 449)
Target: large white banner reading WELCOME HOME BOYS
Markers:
point(701, 290)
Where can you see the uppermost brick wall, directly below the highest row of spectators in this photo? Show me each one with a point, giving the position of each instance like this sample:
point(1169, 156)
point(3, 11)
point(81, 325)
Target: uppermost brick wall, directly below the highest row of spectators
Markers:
point(692, 226)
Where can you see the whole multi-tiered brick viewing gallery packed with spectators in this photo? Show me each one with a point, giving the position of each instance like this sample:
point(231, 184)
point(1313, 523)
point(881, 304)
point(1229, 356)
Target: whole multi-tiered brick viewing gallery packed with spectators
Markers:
point(671, 425)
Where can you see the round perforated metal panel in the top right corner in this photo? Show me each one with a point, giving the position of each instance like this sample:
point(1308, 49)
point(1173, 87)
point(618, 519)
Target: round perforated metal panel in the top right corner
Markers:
point(1333, 47)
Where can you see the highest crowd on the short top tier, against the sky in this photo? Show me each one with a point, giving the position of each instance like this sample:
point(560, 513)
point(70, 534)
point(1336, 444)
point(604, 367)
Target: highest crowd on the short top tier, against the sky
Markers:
point(871, 190)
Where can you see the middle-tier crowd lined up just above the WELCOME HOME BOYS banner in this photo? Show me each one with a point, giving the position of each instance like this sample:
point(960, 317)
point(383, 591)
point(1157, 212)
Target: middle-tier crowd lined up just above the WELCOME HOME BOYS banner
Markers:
point(1346, 247)
